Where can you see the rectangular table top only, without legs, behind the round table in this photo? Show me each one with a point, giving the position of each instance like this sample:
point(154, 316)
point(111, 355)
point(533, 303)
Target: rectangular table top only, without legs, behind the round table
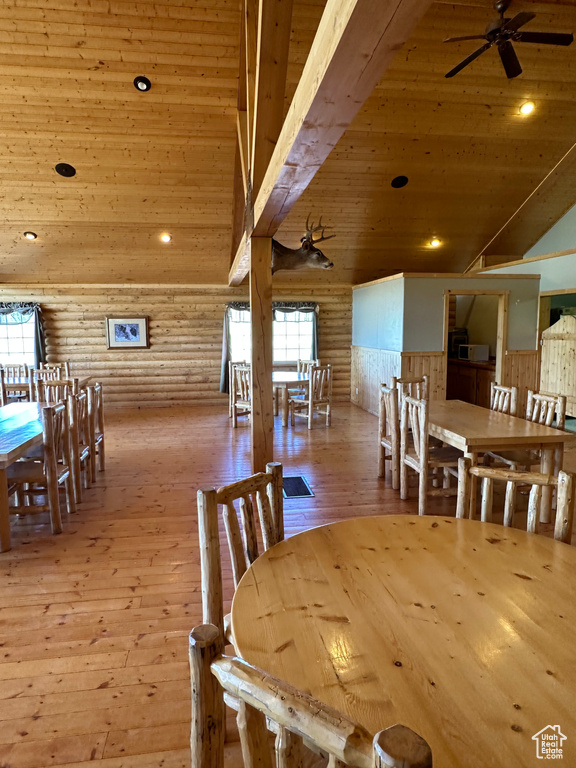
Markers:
point(472, 428)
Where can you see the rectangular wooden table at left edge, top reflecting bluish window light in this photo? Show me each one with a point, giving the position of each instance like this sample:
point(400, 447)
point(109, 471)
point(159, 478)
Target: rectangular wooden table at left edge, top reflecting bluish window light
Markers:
point(20, 430)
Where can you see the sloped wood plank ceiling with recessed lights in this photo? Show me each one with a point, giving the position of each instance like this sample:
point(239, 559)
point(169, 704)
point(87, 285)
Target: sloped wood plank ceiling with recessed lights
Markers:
point(163, 161)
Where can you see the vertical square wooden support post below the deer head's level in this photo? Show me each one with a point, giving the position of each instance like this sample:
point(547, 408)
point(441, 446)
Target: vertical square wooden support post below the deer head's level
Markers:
point(262, 421)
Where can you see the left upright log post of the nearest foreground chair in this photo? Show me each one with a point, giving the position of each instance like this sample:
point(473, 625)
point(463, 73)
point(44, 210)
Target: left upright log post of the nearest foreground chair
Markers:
point(208, 723)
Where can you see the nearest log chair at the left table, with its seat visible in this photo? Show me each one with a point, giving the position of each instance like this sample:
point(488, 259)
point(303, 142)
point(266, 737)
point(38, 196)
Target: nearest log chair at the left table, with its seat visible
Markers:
point(42, 476)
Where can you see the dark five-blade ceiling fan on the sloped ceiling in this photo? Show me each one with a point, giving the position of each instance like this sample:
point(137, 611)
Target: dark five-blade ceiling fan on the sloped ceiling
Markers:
point(502, 32)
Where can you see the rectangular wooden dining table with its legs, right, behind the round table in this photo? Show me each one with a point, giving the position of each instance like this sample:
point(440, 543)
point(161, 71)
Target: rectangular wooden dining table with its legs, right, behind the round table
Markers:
point(475, 430)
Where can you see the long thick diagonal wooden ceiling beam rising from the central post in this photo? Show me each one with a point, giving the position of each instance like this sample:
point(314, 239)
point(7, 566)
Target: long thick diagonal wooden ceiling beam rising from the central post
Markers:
point(355, 42)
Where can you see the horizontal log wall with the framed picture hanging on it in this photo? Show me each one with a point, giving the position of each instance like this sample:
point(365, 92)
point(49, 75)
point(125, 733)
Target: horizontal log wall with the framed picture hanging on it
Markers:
point(182, 365)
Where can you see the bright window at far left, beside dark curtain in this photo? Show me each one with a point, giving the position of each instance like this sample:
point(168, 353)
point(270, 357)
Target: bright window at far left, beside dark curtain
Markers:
point(21, 334)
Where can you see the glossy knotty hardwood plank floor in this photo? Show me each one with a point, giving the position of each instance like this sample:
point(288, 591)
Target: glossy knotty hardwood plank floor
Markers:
point(94, 622)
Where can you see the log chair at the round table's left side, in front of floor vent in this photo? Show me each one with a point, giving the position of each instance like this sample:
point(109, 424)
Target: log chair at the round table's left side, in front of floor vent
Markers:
point(260, 494)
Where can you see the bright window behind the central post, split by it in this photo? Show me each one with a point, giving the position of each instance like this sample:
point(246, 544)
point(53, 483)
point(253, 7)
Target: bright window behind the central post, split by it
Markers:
point(292, 340)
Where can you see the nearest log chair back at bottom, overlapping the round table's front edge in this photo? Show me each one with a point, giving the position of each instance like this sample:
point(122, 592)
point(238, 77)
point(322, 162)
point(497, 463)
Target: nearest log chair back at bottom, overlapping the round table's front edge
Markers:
point(307, 732)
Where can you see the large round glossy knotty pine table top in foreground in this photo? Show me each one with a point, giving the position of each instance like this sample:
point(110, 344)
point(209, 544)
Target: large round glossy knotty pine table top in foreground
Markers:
point(461, 630)
